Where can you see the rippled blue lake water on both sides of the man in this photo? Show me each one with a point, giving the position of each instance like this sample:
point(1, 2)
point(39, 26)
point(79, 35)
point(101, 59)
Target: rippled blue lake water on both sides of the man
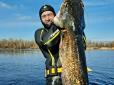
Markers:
point(27, 67)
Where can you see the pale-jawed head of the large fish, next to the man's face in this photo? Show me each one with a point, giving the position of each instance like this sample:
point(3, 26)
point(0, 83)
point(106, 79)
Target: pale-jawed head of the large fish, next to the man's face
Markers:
point(64, 18)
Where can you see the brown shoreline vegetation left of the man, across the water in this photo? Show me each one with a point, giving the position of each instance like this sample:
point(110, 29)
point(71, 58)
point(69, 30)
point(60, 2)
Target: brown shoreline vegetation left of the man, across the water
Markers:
point(17, 44)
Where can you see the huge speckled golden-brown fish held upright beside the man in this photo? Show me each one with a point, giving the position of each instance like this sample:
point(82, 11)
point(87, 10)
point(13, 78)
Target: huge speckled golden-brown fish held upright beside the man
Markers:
point(72, 54)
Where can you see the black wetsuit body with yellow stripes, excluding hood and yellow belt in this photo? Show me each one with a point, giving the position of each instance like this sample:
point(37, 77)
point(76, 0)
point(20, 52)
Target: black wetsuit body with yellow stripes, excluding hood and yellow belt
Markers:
point(48, 41)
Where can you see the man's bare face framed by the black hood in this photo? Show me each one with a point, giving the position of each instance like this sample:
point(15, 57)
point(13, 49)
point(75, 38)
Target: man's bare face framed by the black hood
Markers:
point(47, 17)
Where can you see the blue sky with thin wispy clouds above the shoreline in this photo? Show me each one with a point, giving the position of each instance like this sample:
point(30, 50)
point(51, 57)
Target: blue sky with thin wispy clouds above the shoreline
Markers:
point(20, 18)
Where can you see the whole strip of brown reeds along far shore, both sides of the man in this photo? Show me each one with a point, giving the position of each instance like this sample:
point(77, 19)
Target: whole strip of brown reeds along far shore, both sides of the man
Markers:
point(30, 44)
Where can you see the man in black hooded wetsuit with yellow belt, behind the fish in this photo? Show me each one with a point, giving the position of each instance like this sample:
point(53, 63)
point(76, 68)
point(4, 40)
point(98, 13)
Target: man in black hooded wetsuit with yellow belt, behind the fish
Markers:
point(48, 39)
